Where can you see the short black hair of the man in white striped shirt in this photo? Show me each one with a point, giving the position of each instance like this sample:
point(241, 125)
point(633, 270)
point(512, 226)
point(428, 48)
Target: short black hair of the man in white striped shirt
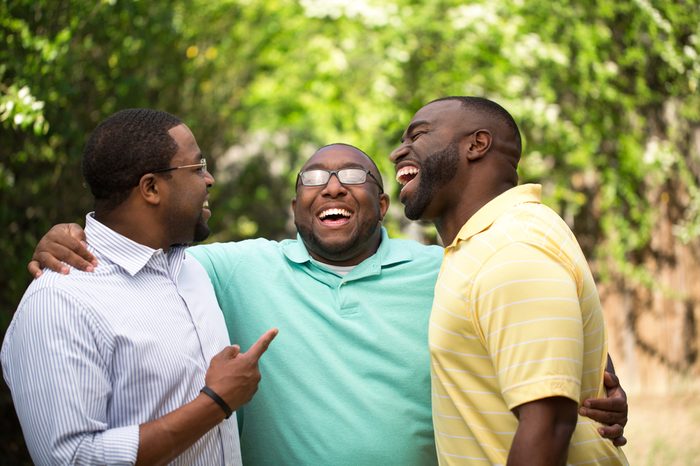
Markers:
point(123, 148)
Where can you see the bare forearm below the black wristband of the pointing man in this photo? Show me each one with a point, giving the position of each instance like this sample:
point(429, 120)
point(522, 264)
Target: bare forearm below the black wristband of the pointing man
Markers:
point(162, 440)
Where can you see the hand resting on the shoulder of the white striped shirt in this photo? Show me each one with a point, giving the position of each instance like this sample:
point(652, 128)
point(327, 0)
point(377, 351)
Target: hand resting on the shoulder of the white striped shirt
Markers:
point(64, 242)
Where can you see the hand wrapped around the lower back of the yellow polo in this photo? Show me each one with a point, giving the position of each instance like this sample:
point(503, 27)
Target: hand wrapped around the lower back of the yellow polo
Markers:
point(611, 411)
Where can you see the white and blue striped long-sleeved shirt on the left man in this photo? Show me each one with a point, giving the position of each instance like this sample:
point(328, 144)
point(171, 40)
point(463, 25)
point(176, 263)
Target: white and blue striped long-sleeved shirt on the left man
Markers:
point(90, 356)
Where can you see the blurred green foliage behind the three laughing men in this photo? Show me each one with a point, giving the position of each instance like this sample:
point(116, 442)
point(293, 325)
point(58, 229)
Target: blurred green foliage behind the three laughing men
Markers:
point(606, 94)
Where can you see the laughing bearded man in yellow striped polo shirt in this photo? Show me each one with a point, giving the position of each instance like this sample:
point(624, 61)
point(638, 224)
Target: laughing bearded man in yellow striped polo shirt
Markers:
point(517, 338)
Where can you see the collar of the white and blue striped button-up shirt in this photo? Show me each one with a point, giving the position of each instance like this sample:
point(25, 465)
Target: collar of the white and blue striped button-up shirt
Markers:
point(124, 252)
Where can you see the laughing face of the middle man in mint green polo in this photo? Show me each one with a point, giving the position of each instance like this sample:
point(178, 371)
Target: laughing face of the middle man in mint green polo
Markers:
point(340, 223)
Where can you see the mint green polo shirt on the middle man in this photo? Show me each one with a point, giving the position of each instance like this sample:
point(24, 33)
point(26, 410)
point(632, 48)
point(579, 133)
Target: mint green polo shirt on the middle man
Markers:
point(347, 380)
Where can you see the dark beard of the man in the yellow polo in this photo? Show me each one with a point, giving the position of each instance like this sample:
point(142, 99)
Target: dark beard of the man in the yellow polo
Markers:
point(437, 170)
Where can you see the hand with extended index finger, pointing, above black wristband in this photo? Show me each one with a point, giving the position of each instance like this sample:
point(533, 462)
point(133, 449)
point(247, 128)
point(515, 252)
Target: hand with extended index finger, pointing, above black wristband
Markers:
point(234, 376)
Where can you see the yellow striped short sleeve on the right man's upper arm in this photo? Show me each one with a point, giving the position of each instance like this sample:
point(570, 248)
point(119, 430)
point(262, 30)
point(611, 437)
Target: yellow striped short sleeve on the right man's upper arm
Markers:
point(529, 317)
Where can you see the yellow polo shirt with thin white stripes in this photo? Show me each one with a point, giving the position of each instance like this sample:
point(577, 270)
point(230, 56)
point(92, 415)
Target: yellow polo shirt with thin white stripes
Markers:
point(516, 318)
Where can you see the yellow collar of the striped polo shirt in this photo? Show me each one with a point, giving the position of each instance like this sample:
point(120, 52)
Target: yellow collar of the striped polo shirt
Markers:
point(484, 217)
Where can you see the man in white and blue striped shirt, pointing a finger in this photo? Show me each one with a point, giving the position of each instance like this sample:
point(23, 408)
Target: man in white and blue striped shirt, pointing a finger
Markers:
point(131, 364)
